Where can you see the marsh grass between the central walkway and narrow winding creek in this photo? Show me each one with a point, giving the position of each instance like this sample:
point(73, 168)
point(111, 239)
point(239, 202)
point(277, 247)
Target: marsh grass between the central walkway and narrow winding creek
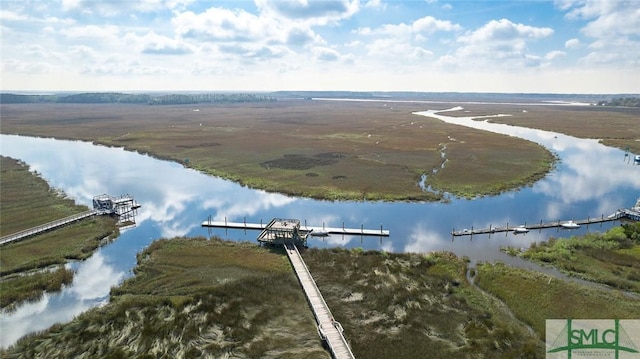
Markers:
point(414, 306)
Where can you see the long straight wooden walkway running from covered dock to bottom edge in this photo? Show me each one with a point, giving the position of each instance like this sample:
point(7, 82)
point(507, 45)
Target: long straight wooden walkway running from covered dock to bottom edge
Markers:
point(329, 329)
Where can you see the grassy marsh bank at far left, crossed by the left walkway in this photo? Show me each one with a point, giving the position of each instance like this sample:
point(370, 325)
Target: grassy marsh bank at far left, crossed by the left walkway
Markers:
point(26, 200)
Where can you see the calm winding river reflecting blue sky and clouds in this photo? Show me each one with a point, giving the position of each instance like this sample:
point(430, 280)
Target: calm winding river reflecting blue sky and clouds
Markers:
point(591, 180)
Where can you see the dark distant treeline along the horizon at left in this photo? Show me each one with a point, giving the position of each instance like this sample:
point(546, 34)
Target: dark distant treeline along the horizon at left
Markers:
point(114, 97)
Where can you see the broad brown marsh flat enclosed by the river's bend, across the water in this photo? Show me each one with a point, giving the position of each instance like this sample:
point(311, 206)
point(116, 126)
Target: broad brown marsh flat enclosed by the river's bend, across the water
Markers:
point(384, 150)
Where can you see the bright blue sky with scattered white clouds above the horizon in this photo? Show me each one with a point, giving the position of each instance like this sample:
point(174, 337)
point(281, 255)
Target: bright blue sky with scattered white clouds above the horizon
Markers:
point(561, 46)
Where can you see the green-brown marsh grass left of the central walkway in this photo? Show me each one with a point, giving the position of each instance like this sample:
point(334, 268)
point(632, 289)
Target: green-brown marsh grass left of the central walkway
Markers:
point(192, 297)
